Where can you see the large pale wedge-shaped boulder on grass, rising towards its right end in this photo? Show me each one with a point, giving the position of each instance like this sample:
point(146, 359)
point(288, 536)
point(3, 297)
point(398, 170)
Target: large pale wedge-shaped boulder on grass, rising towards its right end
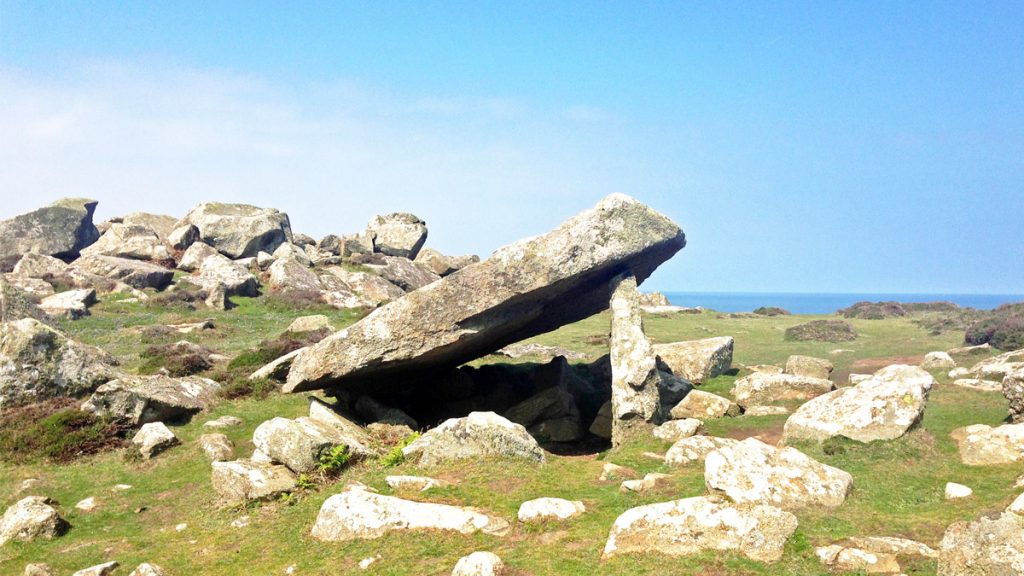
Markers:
point(884, 407)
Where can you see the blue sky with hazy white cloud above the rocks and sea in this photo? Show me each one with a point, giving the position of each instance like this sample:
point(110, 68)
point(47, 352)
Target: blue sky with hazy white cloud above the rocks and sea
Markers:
point(843, 147)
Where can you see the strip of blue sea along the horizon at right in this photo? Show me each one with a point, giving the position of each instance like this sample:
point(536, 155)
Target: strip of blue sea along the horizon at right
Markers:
point(825, 304)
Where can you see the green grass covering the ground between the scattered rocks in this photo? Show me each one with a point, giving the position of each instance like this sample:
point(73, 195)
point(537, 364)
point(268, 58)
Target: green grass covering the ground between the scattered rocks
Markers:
point(898, 485)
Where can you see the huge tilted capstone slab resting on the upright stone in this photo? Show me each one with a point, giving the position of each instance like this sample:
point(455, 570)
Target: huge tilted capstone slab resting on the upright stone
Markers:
point(525, 290)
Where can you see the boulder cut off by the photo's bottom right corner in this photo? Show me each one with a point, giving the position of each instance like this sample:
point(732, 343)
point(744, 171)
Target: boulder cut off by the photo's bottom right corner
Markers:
point(988, 547)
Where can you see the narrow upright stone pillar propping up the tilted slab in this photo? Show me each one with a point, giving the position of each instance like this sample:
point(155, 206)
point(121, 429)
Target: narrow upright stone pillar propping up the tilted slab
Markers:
point(634, 372)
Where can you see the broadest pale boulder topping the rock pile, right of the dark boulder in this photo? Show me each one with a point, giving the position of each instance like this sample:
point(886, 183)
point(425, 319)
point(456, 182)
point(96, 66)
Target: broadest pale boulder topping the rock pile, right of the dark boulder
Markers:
point(239, 231)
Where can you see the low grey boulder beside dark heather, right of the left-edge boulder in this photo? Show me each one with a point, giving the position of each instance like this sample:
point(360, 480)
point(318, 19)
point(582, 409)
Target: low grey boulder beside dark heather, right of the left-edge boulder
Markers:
point(153, 399)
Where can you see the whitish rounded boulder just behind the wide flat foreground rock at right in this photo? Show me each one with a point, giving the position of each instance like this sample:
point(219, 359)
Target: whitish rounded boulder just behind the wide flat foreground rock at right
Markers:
point(754, 472)
